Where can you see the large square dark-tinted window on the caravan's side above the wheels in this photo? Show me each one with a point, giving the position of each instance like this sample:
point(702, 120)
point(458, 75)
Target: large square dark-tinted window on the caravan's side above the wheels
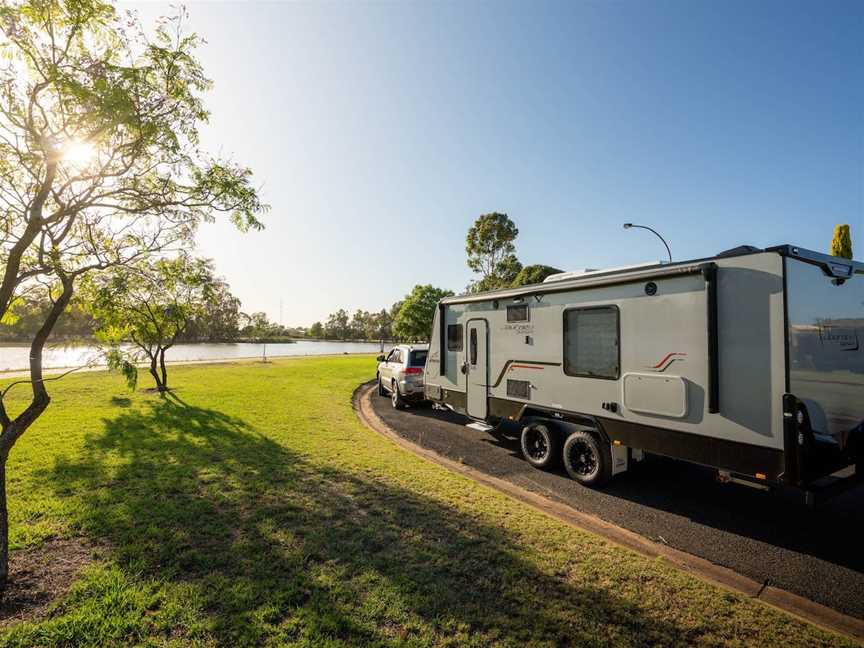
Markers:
point(591, 342)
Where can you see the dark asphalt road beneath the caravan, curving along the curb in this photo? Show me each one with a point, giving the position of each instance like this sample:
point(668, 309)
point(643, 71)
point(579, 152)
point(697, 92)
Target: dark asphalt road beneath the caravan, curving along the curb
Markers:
point(765, 536)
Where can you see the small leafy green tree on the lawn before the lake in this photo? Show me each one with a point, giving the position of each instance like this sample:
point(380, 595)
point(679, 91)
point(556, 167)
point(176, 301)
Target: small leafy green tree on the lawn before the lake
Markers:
point(149, 304)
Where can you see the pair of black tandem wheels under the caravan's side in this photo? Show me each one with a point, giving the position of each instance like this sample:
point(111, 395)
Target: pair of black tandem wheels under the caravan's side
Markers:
point(586, 459)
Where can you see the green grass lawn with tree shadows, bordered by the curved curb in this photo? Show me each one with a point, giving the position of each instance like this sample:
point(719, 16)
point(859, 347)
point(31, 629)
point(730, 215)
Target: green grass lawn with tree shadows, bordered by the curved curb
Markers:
point(252, 508)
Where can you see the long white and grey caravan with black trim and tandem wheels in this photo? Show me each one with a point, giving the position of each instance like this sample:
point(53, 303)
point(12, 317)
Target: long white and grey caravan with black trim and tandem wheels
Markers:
point(751, 362)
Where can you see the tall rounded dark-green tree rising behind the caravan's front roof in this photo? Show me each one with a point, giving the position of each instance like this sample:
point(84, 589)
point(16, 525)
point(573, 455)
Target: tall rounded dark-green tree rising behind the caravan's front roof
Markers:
point(491, 253)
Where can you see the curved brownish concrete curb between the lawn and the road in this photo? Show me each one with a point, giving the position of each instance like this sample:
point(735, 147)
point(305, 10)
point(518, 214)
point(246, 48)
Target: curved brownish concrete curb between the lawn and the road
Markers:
point(793, 604)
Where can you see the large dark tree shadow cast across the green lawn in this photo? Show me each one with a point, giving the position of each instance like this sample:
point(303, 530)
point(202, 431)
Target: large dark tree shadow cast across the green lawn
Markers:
point(277, 548)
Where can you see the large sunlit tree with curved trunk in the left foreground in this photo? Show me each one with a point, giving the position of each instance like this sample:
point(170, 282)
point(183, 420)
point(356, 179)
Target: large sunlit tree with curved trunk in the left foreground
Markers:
point(99, 164)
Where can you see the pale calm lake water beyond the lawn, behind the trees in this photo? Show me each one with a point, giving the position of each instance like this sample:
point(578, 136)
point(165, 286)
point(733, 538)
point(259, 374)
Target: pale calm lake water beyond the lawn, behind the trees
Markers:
point(57, 356)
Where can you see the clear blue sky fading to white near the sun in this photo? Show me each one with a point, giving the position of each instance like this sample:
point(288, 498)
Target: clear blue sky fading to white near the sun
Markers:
point(379, 132)
